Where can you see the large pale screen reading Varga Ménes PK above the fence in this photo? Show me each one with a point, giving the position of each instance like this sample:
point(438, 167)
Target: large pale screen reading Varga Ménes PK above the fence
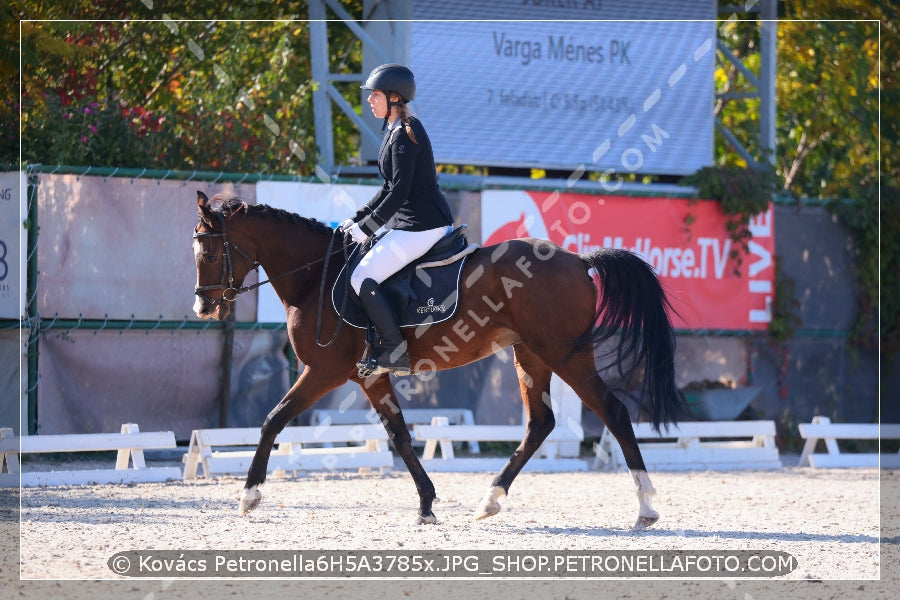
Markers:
point(625, 96)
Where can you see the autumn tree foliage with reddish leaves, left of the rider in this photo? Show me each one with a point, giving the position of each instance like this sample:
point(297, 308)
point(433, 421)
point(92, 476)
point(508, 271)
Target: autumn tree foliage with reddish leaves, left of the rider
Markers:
point(227, 93)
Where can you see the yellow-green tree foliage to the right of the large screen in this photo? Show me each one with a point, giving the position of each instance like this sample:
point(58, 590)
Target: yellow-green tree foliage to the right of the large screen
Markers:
point(832, 66)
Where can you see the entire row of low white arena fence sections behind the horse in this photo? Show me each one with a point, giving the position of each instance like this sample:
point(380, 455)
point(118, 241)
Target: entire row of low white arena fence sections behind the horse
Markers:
point(707, 445)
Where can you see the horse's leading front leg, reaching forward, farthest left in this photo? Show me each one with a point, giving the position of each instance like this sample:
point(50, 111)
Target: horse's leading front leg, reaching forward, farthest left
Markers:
point(303, 394)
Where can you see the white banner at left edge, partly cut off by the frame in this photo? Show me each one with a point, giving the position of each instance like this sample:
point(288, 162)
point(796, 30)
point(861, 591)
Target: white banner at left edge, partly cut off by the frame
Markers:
point(13, 208)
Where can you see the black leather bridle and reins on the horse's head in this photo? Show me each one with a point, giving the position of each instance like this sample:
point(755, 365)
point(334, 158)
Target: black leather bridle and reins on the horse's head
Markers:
point(227, 281)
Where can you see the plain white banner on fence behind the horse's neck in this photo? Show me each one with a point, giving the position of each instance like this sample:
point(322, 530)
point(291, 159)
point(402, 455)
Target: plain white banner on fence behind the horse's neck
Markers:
point(328, 203)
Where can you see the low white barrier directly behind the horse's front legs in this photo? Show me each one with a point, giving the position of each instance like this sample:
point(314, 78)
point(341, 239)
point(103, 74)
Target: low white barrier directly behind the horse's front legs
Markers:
point(297, 449)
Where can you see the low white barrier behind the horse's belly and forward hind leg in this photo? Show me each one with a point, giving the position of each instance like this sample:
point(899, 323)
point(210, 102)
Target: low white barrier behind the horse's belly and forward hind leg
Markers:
point(441, 433)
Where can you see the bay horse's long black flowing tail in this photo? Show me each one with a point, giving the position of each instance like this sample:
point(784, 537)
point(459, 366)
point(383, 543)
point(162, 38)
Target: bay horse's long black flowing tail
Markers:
point(633, 305)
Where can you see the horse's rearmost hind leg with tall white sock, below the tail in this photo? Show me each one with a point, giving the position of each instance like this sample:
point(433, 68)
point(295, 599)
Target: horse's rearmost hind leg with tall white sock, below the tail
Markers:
point(581, 374)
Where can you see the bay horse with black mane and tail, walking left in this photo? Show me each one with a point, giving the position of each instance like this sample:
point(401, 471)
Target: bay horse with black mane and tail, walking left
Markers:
point(554, 307)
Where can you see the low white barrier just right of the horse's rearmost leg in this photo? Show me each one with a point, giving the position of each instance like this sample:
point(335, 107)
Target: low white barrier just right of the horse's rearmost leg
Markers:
point(697, 445)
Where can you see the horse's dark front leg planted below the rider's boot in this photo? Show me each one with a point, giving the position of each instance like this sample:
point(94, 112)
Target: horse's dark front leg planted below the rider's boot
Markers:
point(381, 396)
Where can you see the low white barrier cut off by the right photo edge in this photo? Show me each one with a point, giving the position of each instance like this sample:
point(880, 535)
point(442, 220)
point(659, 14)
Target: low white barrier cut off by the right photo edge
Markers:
point(823, 429)
